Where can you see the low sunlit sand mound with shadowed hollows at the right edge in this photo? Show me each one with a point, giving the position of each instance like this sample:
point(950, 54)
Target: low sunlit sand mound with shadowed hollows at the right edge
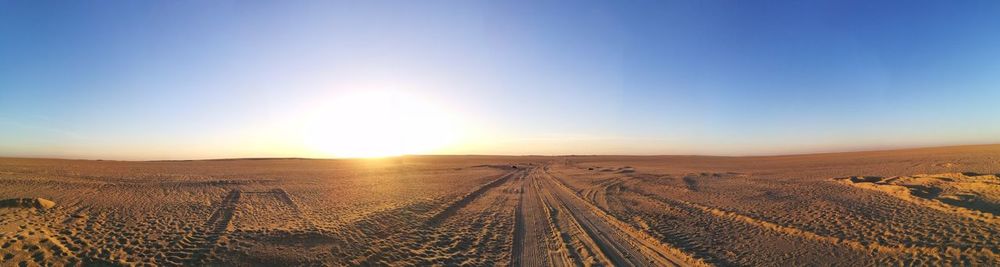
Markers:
point(976, 193)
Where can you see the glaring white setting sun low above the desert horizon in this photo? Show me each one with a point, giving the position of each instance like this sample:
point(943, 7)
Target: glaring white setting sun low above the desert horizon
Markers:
point(378, 124)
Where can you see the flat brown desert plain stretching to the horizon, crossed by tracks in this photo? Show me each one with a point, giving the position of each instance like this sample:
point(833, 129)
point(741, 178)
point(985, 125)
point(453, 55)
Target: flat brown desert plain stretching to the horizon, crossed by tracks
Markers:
point(931, 206)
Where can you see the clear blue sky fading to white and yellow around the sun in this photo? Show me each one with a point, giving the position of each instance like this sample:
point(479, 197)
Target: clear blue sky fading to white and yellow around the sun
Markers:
point(218, 79)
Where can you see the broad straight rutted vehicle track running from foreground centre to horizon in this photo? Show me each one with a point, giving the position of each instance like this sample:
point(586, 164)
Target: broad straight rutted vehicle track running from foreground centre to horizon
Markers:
point(557, 227)
